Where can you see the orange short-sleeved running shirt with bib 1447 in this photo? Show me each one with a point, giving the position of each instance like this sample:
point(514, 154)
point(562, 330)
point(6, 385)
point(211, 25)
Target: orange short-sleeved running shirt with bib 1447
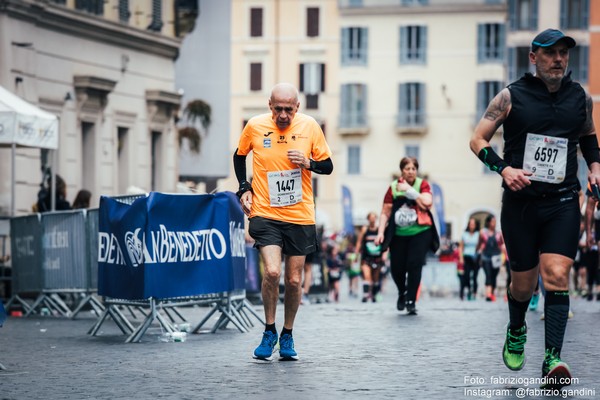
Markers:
point(282, 190)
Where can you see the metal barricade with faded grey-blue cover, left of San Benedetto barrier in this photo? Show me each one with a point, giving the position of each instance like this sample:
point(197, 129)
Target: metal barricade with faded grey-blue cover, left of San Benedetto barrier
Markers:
point(54, 257)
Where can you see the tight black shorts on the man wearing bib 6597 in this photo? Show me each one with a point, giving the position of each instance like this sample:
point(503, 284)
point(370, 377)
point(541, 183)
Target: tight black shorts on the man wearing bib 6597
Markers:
point(539, 226)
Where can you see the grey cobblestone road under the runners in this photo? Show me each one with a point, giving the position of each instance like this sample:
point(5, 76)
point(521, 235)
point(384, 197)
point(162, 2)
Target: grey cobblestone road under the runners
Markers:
point(350, 350)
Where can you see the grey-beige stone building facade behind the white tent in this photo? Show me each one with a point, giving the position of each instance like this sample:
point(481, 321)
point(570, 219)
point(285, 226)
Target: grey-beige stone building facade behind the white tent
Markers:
point(106, 69)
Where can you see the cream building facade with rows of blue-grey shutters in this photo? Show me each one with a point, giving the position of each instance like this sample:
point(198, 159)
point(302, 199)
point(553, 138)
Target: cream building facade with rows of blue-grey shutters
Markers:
point(415, 78)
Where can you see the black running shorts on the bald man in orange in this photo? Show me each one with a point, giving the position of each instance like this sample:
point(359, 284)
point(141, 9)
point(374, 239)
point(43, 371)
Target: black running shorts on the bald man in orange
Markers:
point(294, 240)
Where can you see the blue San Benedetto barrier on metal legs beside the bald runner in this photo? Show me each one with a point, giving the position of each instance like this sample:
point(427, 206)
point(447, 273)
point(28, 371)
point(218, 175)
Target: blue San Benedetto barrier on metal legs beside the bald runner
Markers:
point(172, 249)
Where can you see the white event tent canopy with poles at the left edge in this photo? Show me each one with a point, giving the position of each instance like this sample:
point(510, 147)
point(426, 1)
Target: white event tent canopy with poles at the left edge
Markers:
point(24, 124)
